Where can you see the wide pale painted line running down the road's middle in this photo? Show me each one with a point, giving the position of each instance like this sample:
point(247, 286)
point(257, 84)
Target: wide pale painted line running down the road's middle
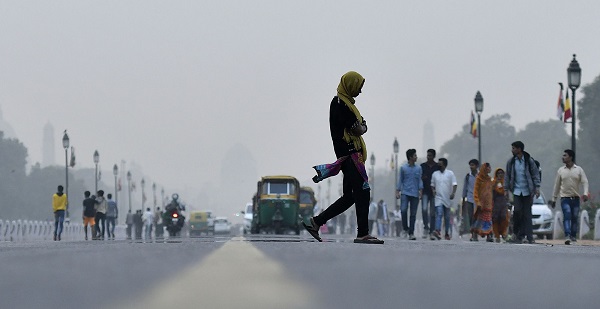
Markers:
point(237, 275)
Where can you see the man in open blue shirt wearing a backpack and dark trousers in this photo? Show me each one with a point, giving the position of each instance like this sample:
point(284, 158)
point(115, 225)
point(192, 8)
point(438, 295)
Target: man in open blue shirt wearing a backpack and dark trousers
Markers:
point(522, 180)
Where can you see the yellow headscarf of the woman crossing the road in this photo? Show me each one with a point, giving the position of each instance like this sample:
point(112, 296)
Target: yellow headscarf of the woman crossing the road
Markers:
point(349, 87)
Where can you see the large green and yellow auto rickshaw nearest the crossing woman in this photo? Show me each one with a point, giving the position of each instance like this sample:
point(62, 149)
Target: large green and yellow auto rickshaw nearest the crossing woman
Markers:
point(276, 207)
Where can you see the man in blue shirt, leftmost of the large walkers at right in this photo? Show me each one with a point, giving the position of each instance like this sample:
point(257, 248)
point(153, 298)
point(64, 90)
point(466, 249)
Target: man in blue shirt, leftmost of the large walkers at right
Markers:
point(409, 191)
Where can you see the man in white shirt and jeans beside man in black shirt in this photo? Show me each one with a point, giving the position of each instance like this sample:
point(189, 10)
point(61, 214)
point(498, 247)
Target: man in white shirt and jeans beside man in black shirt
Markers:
point(443, 185)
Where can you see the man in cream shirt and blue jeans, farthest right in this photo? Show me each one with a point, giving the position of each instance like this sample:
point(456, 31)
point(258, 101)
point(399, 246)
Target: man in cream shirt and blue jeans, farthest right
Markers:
point(569, 179)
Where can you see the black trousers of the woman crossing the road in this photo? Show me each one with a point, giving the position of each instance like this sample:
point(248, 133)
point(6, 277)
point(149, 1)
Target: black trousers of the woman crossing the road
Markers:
point(353, 193)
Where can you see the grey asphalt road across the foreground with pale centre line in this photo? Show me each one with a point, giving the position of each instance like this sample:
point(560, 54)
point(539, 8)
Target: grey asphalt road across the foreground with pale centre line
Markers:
point(270, 271)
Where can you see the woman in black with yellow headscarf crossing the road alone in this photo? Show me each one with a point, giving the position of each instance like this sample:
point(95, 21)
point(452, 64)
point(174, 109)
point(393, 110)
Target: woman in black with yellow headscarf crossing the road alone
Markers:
point(347, 127)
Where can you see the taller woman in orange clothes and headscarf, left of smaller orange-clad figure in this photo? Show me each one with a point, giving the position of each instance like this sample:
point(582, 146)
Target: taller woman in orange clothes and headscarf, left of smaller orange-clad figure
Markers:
point(482, 195)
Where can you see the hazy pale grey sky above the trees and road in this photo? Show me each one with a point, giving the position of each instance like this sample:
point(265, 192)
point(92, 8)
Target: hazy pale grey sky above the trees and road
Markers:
point(175, 85)
